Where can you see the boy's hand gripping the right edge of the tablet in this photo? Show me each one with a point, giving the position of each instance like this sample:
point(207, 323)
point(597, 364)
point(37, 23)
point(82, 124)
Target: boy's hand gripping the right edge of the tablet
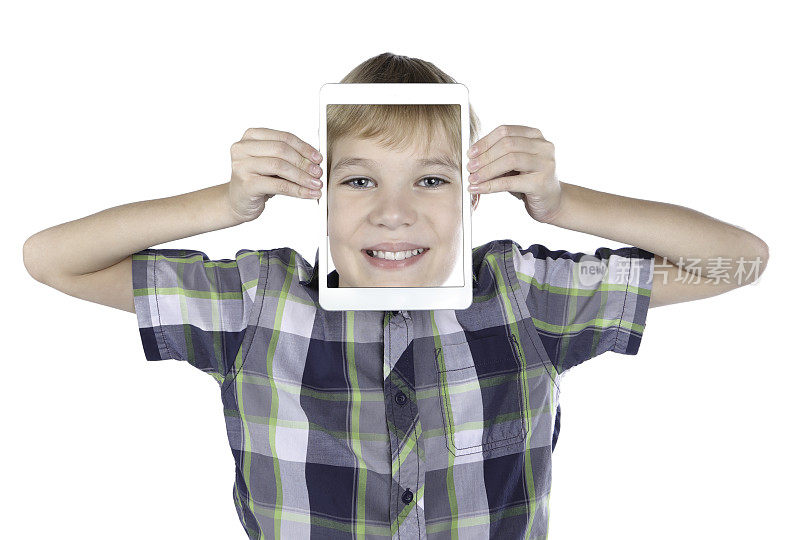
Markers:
point(519, 160)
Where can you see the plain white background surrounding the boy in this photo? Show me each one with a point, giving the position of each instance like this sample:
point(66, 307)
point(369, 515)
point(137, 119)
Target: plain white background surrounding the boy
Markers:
point(691, 103)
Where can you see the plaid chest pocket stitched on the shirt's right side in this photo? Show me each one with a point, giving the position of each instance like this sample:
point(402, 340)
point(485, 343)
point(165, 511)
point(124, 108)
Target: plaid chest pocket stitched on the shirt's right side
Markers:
point(481, 396)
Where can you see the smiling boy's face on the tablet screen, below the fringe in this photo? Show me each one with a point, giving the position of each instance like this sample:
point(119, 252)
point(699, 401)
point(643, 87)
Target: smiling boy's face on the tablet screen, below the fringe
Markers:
point(390, 200)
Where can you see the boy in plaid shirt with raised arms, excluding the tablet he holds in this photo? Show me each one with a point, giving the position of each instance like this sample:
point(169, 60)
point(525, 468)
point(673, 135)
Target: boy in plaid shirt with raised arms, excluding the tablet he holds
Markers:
point(409, 424)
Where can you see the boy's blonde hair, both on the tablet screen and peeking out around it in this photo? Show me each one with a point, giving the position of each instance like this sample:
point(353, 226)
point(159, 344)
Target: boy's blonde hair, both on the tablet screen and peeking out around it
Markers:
point(398, 126)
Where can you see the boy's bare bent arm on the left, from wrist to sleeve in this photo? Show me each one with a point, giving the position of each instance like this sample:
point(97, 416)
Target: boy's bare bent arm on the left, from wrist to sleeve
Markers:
point(90, 258)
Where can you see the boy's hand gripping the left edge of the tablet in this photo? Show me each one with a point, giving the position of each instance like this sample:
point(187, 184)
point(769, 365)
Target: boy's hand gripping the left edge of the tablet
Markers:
point(268, 162)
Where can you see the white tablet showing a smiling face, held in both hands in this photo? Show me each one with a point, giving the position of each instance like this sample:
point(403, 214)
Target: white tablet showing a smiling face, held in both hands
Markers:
point(395, 223)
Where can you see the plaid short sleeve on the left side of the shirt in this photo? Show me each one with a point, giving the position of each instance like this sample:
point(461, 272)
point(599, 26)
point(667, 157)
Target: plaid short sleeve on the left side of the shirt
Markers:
point(193, 309)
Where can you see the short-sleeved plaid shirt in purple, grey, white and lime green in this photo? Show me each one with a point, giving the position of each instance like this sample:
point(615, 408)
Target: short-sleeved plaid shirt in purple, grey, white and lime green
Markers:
point(373, 424)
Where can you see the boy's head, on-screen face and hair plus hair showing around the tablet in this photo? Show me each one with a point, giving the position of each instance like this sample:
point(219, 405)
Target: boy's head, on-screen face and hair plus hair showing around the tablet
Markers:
point(394, 175)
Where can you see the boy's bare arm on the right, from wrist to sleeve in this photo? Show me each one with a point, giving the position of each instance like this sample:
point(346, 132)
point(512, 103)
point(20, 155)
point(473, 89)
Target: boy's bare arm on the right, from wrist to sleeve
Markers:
point(692, 250)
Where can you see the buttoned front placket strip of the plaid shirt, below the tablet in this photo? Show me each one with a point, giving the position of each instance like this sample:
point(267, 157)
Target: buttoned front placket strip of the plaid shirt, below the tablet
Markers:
point(405, 430)
